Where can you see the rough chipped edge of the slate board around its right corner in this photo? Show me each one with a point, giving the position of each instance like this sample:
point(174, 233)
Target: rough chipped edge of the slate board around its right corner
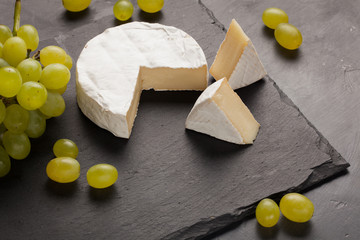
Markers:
point(208, 228)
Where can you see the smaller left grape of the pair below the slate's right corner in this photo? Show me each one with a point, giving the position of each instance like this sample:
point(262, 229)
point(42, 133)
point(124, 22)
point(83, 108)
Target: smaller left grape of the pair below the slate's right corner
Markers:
point(267, 213)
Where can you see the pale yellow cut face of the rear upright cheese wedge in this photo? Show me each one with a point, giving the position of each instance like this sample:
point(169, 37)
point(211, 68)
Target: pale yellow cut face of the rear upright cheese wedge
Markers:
point(229, 52)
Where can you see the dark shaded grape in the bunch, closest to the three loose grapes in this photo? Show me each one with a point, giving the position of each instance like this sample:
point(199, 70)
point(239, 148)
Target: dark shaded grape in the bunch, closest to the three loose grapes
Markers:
point(37, 124)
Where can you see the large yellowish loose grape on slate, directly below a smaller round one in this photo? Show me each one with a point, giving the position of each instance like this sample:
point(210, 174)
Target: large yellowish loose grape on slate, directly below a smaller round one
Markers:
point(63, 169)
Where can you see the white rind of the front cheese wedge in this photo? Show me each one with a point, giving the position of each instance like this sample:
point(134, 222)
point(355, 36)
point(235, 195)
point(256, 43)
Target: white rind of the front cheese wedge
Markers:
point(206, 117)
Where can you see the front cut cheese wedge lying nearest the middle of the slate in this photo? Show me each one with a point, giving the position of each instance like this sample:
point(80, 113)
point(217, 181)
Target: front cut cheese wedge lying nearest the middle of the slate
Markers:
point(219, 112)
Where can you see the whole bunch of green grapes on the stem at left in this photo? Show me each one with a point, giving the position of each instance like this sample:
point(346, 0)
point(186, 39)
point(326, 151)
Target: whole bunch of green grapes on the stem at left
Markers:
point(30, 90)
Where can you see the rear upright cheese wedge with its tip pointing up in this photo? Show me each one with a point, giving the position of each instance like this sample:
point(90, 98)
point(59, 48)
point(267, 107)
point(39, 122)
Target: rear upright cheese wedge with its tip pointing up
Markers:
point(237, 59)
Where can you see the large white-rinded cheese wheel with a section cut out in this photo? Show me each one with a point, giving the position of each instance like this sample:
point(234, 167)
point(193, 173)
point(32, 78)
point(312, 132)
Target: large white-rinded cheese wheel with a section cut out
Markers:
point(115, 66)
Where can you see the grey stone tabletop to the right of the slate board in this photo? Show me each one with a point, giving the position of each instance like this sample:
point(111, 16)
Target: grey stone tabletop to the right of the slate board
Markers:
point(322, 78)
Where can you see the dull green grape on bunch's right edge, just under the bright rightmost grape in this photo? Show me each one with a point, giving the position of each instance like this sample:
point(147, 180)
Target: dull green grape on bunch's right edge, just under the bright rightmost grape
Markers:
point(54, 105)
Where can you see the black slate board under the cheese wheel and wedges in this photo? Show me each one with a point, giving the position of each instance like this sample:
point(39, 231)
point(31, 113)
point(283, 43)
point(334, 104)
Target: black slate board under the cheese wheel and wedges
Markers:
point(173, 183)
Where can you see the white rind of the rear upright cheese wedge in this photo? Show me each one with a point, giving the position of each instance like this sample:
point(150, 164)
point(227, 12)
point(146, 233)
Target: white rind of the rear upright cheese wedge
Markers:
point(248, 70)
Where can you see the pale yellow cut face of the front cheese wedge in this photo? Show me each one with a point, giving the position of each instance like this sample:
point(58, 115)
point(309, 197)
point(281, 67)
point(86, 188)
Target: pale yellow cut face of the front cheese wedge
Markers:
point(237, 112)
